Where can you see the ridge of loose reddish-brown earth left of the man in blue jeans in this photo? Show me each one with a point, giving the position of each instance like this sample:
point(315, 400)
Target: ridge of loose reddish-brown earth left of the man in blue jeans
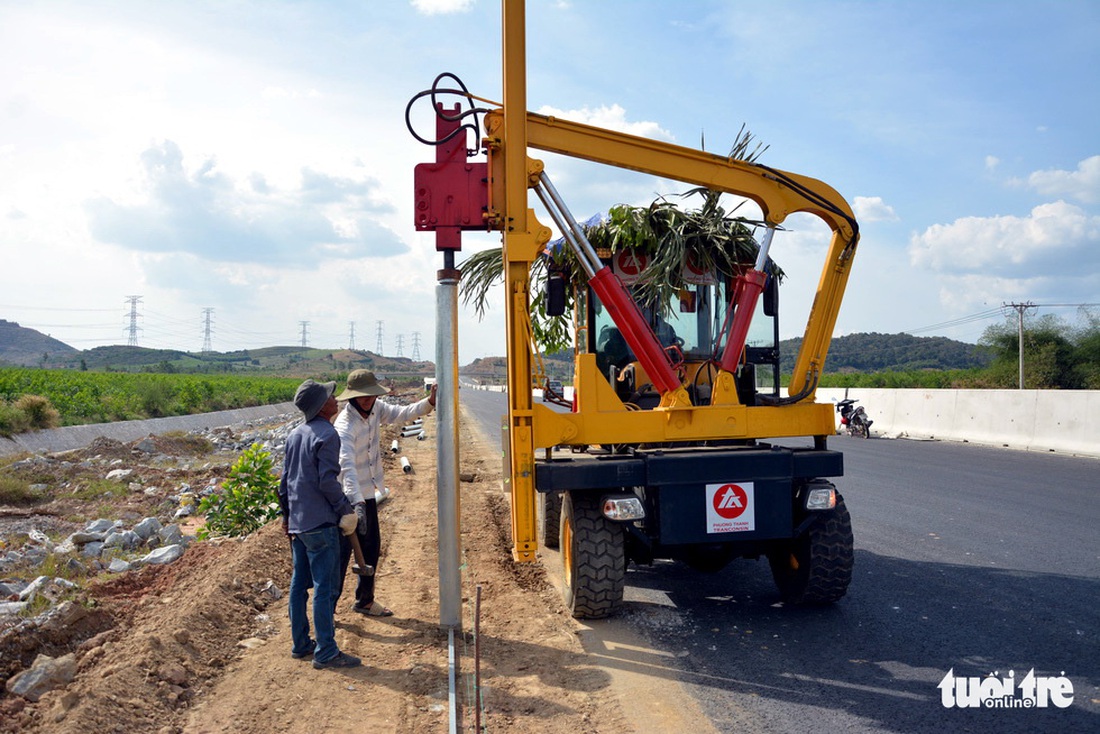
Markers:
point(175, 630)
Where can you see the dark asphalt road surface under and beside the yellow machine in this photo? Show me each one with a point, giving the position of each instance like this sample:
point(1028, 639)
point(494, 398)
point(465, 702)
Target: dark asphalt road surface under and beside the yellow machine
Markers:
point(970, 562)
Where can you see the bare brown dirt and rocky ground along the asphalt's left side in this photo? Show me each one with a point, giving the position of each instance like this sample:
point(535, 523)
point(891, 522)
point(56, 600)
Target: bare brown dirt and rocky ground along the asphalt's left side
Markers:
point(202, 644)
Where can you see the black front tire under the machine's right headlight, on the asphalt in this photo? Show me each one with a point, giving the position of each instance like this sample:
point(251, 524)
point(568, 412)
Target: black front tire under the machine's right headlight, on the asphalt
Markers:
point(816, 568)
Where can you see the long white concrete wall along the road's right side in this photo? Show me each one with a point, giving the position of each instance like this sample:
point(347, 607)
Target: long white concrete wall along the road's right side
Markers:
point(1033, 420)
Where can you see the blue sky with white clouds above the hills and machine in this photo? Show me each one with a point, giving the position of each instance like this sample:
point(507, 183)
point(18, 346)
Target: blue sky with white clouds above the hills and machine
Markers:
point(252, 157)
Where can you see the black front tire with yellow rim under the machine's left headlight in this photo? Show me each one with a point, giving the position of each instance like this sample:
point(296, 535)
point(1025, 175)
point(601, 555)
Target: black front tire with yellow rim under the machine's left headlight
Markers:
point(593, 558)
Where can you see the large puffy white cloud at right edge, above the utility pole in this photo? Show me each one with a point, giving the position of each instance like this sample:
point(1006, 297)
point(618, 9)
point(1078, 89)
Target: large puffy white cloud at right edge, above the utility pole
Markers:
point(1054, 236)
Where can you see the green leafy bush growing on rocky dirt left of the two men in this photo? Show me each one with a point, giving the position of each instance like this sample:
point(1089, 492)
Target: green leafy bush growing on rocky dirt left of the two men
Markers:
point(248, 499)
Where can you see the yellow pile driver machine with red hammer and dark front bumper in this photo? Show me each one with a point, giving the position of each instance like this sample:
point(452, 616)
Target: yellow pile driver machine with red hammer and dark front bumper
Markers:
point(669, 450)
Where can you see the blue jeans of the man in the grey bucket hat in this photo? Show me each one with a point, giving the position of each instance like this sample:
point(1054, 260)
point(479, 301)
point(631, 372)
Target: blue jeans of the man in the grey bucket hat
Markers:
point(316, 565)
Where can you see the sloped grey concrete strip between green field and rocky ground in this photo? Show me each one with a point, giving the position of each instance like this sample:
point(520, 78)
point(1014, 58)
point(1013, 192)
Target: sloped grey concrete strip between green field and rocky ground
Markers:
point(76, 437)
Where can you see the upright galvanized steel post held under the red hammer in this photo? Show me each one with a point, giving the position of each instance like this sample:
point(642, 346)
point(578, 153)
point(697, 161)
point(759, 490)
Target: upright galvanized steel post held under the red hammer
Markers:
point(447, 442)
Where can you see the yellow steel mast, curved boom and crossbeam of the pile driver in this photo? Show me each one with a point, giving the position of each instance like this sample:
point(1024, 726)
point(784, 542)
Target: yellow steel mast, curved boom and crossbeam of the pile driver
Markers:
point(601, 417)
